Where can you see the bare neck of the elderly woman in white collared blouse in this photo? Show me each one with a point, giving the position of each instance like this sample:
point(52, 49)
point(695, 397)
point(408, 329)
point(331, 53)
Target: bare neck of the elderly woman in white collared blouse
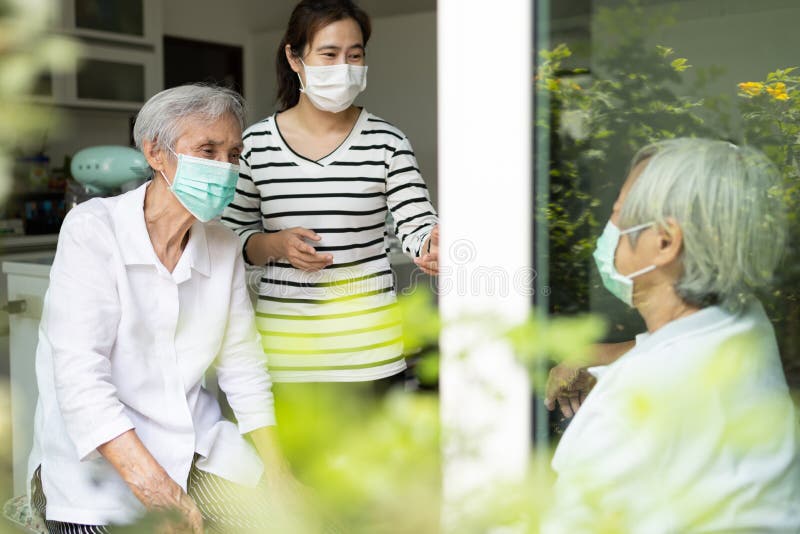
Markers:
point(167, 222)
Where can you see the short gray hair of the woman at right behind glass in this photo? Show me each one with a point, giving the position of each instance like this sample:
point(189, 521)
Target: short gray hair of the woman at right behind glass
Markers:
point(729, 205)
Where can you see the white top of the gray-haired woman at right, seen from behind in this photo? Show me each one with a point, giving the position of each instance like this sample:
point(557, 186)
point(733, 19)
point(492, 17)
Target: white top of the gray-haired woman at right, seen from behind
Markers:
point(693, 430)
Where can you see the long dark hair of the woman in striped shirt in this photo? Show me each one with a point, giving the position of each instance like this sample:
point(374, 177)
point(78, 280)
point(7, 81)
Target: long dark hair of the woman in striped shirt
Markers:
point(308, 17)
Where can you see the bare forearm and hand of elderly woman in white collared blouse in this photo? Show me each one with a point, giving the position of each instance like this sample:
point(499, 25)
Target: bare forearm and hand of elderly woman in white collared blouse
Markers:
point(151, 484)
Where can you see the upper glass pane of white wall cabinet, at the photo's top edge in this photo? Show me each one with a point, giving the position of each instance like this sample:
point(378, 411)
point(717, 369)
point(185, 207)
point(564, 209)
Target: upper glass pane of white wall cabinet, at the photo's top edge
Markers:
point(117, 16)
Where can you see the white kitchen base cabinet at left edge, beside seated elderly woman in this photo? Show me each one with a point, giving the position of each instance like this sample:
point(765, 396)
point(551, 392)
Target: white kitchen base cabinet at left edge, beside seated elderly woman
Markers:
point(27, 285)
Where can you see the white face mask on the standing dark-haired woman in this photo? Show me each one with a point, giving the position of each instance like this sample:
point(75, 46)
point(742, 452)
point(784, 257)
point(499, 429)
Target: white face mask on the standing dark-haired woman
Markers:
point(333, 88)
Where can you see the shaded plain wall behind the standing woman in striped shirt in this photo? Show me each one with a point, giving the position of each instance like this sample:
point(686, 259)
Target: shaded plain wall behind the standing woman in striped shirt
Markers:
point(401, 85)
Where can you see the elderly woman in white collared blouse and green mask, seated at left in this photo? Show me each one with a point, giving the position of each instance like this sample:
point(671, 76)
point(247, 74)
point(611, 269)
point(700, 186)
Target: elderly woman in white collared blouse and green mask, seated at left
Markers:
point(146, 294)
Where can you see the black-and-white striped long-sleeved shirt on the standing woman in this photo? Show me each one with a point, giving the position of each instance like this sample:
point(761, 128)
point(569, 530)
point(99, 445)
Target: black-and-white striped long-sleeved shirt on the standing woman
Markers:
point(341, 323)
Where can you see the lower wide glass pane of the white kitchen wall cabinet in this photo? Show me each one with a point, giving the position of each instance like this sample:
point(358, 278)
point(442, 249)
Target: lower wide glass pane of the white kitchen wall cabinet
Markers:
point(108, 80)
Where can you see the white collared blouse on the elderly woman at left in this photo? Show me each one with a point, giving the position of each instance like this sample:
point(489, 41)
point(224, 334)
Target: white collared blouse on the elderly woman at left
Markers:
point(125, 344)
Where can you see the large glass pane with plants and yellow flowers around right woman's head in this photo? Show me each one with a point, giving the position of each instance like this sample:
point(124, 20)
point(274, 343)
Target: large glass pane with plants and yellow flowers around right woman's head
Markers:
point(619, 75)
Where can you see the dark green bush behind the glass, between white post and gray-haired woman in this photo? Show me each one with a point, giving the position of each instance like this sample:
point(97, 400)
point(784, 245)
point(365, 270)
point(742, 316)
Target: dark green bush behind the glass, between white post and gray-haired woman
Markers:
point(597, 122)
